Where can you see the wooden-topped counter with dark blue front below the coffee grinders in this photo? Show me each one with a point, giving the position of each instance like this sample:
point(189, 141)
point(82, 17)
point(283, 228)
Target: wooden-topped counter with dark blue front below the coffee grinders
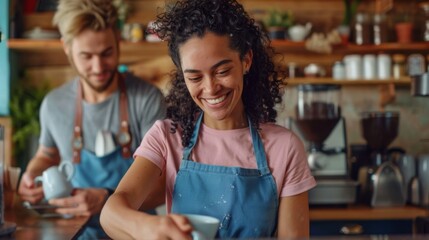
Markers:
point(364, 220)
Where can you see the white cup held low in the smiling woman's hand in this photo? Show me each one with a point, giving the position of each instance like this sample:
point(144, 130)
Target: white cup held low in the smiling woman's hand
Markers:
point(205, 227)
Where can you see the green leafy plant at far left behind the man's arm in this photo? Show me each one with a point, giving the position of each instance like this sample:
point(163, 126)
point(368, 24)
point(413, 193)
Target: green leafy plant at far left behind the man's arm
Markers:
point(24, 111)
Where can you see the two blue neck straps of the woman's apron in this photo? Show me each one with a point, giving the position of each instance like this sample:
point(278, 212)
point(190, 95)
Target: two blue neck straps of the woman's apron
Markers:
point(258, 146)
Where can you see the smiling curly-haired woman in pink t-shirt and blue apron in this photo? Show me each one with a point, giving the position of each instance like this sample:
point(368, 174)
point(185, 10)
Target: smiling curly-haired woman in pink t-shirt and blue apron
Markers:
point(219, 147)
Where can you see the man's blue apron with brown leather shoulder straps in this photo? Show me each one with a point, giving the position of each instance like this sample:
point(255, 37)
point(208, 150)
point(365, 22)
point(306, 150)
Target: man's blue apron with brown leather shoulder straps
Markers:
point(92, 171)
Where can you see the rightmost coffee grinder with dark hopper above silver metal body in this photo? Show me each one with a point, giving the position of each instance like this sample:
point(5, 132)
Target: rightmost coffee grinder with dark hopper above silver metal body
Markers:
point(381, 181)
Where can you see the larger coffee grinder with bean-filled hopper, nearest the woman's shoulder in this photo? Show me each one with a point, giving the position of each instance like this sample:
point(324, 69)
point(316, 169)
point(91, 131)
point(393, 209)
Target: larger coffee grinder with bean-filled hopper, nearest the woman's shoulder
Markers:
point(319, 124)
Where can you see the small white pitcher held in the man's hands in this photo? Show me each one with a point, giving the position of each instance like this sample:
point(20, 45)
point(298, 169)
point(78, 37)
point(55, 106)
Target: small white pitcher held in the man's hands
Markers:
point(56, 181)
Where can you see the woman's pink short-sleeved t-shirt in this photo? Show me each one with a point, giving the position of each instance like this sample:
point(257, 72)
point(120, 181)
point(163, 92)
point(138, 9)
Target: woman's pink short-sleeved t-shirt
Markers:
point(285, 153)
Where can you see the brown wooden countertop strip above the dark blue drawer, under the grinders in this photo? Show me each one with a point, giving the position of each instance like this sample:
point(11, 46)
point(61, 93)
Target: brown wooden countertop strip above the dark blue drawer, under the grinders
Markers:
point(367, 213)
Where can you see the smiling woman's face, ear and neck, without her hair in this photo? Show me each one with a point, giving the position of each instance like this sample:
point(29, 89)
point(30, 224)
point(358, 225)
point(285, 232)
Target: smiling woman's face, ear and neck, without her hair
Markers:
point(216, 84)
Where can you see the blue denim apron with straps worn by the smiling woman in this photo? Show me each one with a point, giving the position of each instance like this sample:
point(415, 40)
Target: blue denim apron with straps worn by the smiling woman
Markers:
point(244, 200)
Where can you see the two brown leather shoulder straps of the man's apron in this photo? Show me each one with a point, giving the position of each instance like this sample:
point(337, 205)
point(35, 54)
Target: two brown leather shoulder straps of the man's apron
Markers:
point(124, 137)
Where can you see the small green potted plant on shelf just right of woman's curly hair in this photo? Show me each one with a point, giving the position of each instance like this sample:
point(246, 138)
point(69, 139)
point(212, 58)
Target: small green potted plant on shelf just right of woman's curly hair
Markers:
point(277, 23)
